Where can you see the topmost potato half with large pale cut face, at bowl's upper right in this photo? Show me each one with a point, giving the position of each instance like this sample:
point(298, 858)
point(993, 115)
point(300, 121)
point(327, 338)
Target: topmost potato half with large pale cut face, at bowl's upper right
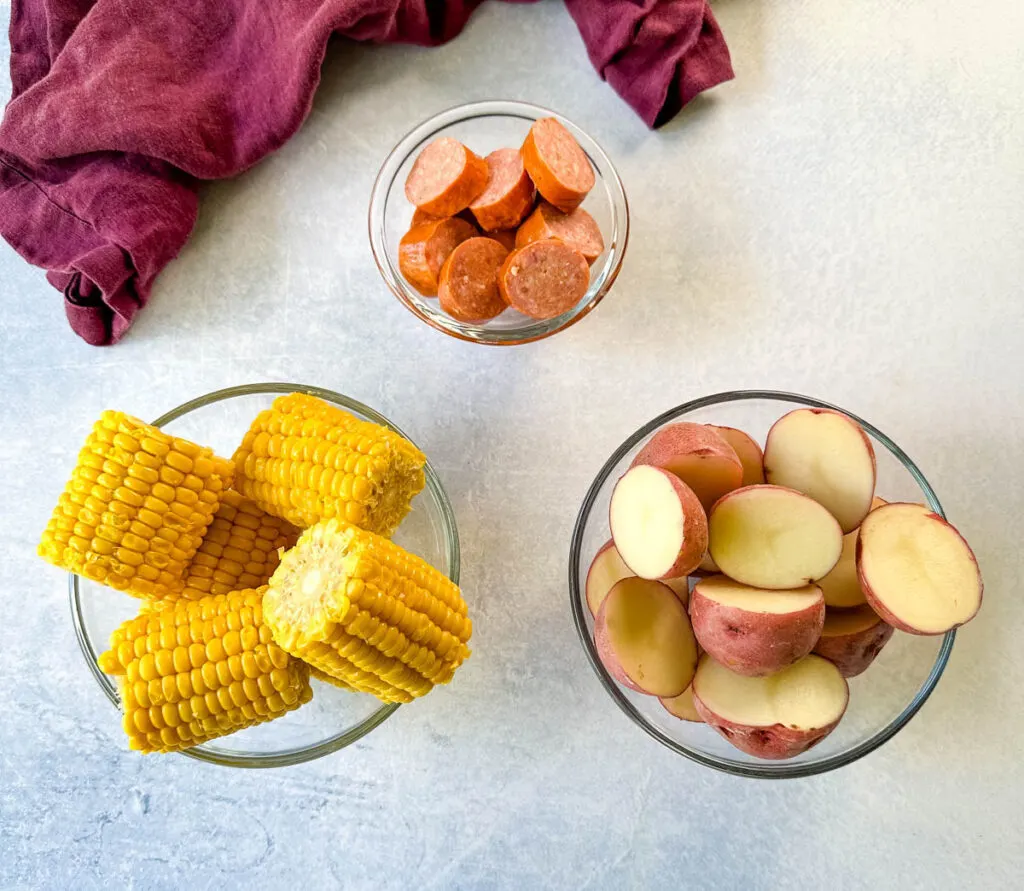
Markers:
point(828, 457)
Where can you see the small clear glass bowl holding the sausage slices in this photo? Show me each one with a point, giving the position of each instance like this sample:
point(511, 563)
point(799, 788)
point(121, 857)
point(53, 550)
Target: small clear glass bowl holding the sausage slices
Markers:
point(485, 128)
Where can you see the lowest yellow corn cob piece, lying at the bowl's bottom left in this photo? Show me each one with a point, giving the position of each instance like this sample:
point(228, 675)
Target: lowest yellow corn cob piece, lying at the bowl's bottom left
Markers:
point(197, 670)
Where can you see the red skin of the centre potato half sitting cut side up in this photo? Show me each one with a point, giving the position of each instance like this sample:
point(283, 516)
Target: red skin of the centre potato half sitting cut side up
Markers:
point(754, 644)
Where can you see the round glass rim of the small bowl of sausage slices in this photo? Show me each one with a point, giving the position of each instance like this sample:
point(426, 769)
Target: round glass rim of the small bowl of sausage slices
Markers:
point(385, 183)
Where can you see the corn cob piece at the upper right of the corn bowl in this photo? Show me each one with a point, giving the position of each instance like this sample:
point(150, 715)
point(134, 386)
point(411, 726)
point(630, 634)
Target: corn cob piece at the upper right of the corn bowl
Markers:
point(306, 461)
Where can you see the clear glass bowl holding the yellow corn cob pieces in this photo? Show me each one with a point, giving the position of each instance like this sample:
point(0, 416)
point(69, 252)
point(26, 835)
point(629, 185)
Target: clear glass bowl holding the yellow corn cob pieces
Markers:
point(335, 718)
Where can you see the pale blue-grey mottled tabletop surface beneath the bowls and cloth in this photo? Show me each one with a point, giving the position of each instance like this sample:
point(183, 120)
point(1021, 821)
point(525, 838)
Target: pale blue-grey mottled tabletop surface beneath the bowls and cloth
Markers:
point(844, 220)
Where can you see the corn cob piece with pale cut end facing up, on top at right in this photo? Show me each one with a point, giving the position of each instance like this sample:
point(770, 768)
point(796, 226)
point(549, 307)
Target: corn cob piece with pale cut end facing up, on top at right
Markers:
point(358, 608)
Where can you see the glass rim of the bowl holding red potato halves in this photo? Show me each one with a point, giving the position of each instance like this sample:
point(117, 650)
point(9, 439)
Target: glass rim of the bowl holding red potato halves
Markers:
point(767, 770)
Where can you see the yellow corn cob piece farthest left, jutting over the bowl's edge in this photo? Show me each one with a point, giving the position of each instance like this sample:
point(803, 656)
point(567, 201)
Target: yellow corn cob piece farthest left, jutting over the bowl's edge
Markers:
point(137, 507)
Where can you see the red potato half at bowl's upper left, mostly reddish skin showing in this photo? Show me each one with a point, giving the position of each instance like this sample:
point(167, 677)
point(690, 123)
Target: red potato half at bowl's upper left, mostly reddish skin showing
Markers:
point(698, 456)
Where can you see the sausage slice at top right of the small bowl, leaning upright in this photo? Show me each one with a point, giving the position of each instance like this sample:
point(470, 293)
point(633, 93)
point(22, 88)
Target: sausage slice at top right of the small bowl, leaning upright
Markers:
point(560, 168)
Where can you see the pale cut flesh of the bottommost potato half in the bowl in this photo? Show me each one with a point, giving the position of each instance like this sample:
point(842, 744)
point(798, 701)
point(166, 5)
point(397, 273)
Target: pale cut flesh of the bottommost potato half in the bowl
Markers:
point(808, 695)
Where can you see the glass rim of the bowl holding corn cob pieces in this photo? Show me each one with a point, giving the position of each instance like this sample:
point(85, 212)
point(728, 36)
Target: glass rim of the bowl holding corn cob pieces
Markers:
point(303, 754)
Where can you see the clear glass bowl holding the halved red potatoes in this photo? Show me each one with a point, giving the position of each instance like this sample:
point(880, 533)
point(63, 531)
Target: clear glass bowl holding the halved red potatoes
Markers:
point(883, 700)
